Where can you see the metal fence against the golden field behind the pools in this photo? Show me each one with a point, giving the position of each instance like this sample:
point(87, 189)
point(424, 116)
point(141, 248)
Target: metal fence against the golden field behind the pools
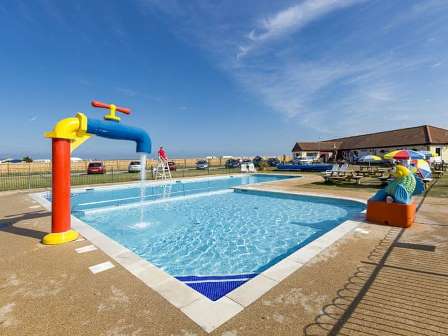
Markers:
point(38, 175)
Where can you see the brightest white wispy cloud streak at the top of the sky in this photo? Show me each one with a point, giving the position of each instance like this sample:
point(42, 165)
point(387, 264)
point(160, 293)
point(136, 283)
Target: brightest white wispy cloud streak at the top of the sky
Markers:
point(289, 20)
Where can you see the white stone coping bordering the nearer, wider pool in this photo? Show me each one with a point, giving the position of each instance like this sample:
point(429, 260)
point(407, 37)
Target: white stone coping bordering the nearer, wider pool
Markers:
point(206, 313)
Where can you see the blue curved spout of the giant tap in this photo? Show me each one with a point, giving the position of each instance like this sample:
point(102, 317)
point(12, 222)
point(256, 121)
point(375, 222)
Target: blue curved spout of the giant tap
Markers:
point(114, 130)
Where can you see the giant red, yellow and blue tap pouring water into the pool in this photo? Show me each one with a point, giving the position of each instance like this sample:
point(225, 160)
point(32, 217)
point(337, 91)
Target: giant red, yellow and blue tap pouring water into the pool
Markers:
point(69, 134)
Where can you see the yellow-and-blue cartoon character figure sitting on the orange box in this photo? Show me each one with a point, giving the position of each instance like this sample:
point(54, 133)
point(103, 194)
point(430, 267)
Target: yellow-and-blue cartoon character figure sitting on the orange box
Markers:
point(401, 188)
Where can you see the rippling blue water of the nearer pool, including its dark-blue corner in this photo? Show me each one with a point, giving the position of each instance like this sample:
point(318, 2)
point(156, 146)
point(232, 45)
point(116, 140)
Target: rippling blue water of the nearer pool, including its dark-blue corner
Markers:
point(218, 240)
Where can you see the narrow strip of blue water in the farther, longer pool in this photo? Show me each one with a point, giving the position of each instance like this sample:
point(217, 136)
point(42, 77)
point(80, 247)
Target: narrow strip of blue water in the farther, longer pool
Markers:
point(98, 198)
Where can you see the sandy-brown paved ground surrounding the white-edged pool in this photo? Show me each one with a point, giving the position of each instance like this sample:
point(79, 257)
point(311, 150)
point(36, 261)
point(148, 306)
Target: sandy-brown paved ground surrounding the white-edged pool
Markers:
point(375, 281)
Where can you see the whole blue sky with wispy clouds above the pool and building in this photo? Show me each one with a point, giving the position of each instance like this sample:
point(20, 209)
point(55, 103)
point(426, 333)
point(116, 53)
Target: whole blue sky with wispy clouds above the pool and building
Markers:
point(221, 77)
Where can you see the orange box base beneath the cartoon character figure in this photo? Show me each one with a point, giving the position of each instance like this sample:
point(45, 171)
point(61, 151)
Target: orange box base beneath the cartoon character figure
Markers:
point(394, 214)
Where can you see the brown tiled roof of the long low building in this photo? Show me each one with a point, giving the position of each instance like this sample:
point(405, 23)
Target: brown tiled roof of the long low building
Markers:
point(412, 136)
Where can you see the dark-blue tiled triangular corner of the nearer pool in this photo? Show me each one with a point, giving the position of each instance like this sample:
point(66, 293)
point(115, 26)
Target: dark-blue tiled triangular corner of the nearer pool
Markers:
point(215, 287)
